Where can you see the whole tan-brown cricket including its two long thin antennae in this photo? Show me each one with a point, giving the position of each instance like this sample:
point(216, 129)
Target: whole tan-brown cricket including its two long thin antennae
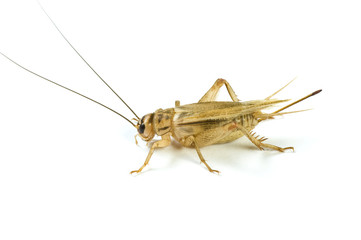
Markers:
point(196, 125)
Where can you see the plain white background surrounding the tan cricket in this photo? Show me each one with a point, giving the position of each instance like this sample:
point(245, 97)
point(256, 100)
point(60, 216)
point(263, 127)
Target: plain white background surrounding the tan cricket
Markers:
point(65, 162)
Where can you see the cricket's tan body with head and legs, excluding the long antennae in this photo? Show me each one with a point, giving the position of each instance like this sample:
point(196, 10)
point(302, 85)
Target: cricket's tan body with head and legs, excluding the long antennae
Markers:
point(209, 122)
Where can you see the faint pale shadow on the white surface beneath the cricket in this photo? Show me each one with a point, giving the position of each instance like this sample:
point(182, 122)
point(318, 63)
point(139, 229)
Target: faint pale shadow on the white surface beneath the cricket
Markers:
point(240, 155)
